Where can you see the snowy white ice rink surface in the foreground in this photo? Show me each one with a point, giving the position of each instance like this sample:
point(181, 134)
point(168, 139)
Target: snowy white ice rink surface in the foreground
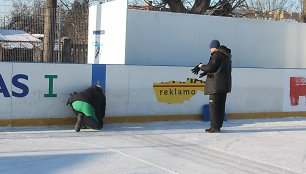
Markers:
point(258, 146)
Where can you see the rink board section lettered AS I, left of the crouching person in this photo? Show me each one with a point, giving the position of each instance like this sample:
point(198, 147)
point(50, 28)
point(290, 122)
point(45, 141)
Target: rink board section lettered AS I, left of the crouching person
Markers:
point(34, 90)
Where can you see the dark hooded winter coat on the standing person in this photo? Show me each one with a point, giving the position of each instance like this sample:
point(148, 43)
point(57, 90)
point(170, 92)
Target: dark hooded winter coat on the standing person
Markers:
point(218, 69)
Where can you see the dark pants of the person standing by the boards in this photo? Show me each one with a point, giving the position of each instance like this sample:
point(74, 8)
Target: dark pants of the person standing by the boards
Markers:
point(217, 109)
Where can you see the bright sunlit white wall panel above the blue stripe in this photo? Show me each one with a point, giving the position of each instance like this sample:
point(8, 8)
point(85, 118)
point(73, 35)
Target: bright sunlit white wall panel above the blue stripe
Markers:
point(109, 46)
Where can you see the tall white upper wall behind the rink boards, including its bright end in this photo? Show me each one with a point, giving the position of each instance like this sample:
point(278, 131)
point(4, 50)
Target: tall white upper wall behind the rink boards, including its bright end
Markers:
point(143, 37)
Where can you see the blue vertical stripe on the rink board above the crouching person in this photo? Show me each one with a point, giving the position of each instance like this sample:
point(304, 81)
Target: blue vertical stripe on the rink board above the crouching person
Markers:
point(99, 75)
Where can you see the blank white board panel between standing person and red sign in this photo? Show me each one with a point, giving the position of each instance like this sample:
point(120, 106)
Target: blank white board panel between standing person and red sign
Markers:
point(255, 90)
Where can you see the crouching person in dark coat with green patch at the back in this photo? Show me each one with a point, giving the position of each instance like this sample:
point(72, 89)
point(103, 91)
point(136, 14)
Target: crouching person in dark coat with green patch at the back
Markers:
point(89, 108)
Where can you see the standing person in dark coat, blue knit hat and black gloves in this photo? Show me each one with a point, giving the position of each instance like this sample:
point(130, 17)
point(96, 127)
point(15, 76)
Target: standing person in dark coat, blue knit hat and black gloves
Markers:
point(218, 82)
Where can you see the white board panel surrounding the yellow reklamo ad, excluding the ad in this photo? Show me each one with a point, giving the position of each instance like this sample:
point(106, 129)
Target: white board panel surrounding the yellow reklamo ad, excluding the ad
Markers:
point(142, 99)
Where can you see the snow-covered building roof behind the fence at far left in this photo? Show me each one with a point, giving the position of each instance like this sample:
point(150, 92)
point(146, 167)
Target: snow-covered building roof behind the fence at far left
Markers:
point(10, 39)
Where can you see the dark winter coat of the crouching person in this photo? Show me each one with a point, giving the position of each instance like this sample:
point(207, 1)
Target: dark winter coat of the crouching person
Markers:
point(95, 97)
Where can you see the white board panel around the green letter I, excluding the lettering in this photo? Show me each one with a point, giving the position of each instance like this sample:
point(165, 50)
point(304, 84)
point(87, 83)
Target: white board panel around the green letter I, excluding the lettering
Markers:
point(36, 105)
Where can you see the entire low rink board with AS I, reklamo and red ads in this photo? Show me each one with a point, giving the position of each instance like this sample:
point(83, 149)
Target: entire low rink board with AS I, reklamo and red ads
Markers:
point(36, 91)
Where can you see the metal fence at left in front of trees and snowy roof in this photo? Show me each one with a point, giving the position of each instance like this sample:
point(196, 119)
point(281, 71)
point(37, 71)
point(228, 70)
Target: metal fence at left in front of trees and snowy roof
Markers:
point(23, 37)
